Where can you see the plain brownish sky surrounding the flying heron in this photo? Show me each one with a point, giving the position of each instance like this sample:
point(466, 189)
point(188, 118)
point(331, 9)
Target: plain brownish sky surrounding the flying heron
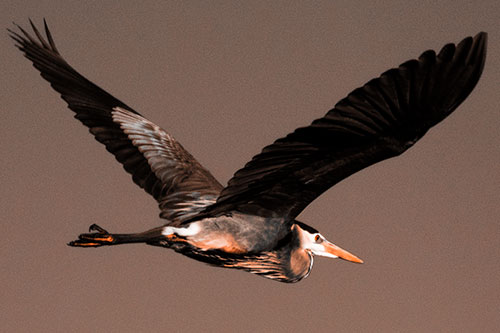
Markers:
point(227, 78)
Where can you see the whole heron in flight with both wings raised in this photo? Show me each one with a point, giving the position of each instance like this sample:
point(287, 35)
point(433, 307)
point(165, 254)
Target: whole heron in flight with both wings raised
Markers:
point(250, 224)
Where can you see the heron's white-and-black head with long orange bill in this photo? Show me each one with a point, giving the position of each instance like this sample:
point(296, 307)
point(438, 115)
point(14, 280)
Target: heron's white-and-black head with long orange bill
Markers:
point(311, 240)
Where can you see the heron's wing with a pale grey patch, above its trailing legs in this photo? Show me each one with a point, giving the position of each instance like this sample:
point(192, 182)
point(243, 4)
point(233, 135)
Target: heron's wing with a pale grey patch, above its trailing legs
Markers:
point(157, 163)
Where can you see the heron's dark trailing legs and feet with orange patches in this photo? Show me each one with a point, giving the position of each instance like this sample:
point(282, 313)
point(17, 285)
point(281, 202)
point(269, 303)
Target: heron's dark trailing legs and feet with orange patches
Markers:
point(100, 237)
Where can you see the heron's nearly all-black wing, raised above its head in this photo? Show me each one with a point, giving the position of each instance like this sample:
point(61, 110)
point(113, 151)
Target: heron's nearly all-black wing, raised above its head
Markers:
point(382, 119)
